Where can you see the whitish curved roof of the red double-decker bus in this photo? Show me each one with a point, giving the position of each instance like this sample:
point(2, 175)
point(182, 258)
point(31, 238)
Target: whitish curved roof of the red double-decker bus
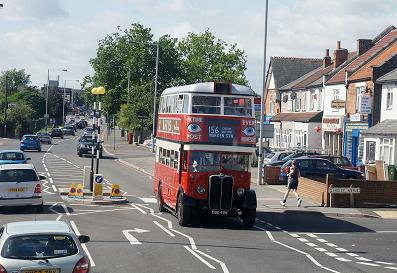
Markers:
point(209, 87)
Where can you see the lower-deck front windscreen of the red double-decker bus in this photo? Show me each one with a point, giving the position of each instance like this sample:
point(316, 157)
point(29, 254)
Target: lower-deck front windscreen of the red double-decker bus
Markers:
point(217, 161)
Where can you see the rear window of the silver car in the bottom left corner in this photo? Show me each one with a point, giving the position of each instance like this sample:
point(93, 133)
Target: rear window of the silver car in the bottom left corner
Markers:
point(43, 246)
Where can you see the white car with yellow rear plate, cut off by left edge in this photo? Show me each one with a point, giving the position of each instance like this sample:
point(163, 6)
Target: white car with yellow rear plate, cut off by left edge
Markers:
point(20, 185)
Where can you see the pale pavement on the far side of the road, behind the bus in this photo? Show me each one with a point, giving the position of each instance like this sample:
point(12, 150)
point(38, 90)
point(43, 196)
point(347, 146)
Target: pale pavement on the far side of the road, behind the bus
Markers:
point(142, 159)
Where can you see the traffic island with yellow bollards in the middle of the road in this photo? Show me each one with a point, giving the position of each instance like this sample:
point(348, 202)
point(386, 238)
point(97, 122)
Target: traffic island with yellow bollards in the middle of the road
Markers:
point(86, 197)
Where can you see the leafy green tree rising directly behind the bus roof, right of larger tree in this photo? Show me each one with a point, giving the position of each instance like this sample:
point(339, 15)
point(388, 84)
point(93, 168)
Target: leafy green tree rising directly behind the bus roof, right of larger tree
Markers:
point(206, 58)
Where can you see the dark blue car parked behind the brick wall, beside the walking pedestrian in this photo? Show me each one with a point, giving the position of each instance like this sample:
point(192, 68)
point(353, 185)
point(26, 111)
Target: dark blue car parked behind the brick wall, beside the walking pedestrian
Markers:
point(318, 168)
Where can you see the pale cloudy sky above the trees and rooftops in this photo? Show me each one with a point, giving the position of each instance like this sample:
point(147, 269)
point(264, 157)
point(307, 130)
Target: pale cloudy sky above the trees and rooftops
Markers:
point(37, 35)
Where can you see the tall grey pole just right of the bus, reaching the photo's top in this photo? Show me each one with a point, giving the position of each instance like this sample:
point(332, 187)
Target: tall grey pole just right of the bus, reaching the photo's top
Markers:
point(260, 161)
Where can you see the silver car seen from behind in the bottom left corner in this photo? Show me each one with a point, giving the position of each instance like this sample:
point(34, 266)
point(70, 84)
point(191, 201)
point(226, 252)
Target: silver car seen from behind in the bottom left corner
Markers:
point(42, 247)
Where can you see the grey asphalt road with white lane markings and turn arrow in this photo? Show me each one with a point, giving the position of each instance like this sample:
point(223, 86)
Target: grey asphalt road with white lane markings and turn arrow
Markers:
point(136, 238)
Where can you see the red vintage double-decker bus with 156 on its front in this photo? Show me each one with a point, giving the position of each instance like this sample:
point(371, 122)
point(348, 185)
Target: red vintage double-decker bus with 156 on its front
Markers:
point(205, 139)
